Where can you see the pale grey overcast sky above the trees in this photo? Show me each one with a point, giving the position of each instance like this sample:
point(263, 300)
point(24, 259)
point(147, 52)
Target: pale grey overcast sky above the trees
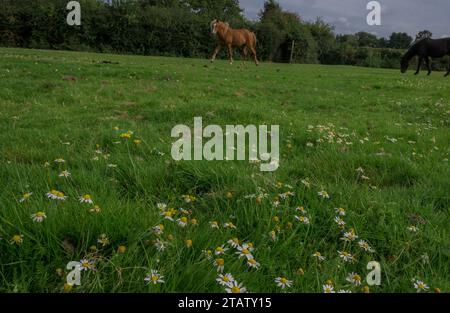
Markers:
point(349, 16)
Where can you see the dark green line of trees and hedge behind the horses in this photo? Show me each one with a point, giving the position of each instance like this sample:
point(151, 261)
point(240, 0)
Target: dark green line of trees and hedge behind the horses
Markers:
point(181, 28)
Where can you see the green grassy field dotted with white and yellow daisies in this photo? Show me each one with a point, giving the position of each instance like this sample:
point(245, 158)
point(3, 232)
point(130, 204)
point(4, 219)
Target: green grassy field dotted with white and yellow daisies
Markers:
point(375, 141)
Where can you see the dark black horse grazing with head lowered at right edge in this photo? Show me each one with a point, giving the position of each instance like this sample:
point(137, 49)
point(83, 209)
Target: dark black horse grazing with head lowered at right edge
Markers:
point(426, 49)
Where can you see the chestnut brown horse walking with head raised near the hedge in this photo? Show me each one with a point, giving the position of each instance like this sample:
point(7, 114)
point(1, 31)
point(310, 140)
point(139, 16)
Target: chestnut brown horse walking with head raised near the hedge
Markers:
point(234, 38)
